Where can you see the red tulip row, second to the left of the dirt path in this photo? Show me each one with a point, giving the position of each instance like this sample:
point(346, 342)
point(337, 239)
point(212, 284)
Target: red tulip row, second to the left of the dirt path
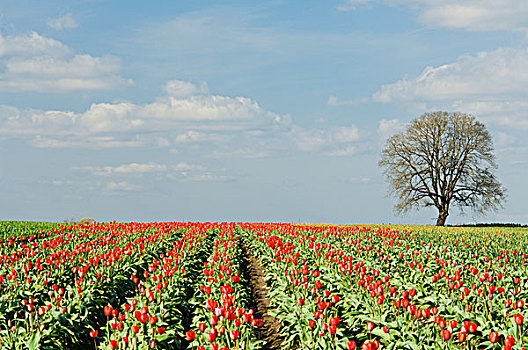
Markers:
point(159, 311)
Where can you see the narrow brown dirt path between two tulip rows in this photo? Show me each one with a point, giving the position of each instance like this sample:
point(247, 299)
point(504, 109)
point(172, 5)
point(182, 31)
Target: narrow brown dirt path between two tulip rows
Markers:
point(269, 333)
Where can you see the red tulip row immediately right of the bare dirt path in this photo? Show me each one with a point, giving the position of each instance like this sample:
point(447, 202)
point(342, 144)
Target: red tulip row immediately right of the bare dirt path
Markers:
point(305, 302)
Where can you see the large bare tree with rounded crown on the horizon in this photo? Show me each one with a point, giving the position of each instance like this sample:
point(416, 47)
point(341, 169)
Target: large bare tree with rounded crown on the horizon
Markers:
point(440, 159)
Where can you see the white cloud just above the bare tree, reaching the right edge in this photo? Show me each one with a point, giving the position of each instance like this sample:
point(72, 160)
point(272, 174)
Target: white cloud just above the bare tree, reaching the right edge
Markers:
point(490, 85)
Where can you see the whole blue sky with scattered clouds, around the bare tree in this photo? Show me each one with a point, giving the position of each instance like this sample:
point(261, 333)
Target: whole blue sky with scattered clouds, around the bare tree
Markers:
point(246, 110)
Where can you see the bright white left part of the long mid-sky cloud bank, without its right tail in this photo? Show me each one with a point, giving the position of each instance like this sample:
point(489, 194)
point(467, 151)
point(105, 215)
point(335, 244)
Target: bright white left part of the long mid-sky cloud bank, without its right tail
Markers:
point(193, 115)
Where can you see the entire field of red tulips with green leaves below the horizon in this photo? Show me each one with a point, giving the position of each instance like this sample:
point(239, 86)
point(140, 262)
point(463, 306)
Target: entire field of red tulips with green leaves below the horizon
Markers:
point(190, 286)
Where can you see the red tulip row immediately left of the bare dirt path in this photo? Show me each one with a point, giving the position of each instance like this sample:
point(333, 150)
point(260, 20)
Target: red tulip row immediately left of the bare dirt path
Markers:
point(223, 319)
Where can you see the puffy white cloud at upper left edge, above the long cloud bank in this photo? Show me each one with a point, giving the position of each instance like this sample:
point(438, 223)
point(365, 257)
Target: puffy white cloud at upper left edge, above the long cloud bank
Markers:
point(35, 63)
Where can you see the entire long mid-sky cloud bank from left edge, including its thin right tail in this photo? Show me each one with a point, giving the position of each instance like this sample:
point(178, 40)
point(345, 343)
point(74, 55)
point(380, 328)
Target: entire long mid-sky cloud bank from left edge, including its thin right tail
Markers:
point(218, 126)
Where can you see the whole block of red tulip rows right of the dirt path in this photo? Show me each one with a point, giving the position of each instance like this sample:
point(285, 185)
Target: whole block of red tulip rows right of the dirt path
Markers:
point(422, 275)
